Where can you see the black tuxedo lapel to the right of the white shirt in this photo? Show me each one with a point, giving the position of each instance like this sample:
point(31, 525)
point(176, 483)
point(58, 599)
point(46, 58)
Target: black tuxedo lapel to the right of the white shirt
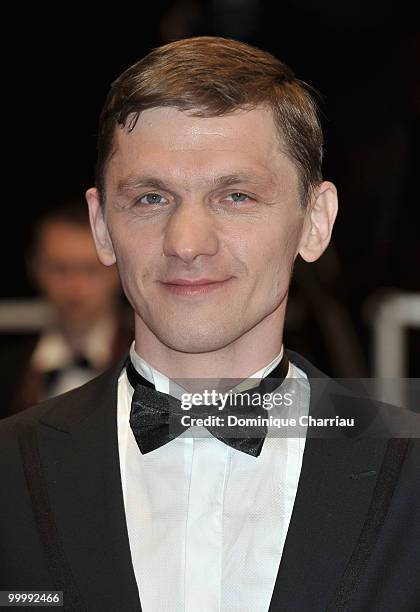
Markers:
point(336, 487)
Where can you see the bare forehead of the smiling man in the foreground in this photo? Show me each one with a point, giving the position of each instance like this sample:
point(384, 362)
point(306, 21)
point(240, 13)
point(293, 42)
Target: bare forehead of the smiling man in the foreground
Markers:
point(250, 137)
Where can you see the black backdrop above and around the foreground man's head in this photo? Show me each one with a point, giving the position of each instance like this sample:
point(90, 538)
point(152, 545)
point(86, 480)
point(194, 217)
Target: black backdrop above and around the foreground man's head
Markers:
point(364, 58)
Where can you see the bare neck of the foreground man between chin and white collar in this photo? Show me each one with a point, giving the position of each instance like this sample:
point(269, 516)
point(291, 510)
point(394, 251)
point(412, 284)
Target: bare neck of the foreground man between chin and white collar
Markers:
point(250, 352)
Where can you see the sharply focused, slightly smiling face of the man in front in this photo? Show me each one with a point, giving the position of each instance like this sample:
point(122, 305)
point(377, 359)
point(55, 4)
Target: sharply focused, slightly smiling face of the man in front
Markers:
point(190, 198)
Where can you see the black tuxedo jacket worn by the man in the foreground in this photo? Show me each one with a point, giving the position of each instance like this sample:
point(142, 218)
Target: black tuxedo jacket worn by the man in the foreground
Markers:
point(354, 538)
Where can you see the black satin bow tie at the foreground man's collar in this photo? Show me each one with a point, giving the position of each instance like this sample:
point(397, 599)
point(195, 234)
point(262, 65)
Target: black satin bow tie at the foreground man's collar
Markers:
point(155, 417)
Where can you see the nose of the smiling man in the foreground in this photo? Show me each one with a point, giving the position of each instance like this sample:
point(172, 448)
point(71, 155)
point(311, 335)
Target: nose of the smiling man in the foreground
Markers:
point(190, 232)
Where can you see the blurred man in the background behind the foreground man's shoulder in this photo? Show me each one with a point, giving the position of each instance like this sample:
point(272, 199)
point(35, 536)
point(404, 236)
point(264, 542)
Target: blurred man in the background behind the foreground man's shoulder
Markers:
point(88, 330)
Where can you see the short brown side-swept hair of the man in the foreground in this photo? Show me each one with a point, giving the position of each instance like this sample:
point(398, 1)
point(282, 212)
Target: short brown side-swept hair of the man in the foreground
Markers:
point(212, 76)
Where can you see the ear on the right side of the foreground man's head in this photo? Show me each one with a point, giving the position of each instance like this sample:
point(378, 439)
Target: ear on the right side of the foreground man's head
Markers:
point(319, 221)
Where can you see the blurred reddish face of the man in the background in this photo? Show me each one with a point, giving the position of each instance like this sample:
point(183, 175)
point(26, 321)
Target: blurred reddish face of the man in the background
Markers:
point(67, 270)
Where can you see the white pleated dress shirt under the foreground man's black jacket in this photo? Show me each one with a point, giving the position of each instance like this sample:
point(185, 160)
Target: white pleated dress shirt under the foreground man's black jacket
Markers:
point(207, 523)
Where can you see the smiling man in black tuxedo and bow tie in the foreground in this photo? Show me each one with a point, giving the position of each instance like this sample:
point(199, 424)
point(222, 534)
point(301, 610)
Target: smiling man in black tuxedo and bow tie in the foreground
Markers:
point(208, 187)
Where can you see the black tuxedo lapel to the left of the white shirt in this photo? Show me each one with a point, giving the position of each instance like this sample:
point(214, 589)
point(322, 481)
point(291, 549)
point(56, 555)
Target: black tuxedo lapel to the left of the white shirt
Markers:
point(78, 493)
